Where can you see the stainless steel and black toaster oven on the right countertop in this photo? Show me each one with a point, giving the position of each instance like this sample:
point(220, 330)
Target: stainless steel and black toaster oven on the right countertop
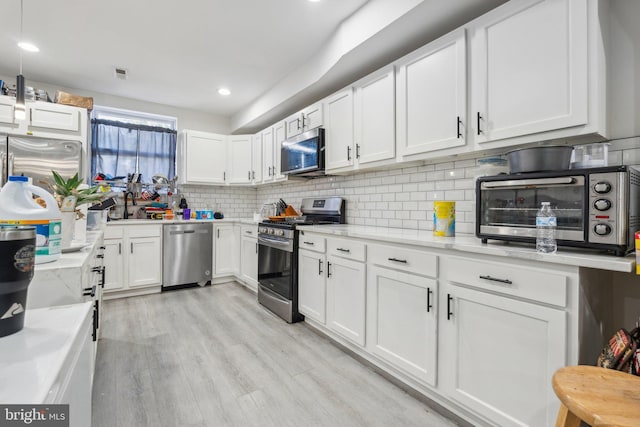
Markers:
point(595, 208)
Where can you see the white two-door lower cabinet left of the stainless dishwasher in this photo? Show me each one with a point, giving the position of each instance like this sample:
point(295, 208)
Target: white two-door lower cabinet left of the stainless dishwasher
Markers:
point(133, 257)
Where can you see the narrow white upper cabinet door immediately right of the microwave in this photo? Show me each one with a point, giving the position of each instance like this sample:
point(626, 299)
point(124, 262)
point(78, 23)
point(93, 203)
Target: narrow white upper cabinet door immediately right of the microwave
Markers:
point(339, 130)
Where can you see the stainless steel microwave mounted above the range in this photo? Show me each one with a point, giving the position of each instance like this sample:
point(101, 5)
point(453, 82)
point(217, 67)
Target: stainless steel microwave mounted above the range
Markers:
point(303, 155)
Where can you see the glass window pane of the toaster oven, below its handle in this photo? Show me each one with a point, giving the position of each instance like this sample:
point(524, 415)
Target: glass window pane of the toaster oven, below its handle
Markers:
point(517, 207)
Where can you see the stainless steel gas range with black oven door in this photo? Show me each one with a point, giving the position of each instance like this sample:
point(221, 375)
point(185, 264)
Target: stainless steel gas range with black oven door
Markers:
point(278, 254)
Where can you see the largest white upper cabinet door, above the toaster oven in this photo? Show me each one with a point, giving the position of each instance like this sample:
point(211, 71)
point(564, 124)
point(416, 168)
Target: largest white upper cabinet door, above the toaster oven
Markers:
point(528, 77)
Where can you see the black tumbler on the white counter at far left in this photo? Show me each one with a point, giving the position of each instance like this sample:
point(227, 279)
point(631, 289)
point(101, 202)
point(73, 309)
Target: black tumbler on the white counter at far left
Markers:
point(17, 262)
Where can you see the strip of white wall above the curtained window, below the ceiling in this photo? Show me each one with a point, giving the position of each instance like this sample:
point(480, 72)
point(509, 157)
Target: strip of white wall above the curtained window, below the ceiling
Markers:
point(187, 119)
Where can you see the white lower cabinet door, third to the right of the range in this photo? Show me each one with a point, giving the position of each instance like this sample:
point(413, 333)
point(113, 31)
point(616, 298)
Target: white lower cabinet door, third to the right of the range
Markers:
point(401, 323)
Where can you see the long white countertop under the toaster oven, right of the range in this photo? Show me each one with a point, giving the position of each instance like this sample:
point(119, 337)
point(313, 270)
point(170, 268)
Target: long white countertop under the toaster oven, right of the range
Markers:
point(471, 244)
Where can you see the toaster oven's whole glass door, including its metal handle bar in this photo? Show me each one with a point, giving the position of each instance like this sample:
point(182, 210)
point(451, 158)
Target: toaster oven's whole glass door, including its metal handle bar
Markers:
point(510, 207)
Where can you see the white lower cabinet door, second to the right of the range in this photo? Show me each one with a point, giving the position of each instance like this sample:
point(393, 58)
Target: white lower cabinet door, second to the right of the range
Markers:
point(346, 298)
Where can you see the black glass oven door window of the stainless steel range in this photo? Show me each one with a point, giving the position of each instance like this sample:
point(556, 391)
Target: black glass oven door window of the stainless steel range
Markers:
point(275, 270)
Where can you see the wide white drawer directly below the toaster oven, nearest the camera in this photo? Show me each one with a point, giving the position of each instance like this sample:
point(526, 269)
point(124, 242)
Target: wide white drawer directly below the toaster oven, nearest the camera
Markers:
point(509, 279)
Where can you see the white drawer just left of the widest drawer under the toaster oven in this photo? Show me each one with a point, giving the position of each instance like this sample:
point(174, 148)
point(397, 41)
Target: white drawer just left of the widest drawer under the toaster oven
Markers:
point(409, 260)
